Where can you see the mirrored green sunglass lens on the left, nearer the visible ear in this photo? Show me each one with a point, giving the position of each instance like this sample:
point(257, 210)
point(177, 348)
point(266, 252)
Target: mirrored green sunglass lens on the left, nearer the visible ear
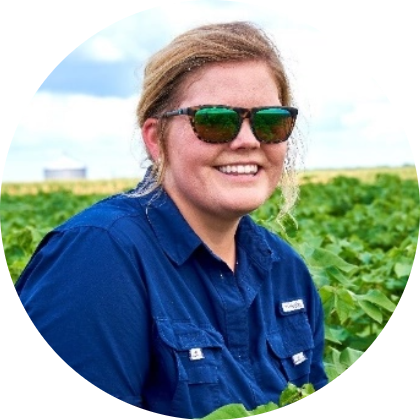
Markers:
point(216, 125)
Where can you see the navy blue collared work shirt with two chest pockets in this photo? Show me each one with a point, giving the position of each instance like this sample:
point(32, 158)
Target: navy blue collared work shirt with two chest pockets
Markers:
point(129, 297)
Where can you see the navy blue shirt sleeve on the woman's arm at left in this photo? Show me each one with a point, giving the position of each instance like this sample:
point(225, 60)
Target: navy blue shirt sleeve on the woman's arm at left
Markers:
point(84, 294)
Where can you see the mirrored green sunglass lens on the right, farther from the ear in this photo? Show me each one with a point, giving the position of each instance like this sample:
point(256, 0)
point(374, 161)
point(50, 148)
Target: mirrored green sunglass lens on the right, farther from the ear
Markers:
point(272, 125)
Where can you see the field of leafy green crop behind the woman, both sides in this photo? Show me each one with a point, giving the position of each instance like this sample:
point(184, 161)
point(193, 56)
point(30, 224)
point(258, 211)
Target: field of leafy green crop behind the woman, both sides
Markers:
point(358, 235)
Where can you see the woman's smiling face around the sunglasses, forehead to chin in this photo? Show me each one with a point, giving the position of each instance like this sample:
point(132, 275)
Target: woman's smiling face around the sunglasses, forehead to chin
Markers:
point(197, 175)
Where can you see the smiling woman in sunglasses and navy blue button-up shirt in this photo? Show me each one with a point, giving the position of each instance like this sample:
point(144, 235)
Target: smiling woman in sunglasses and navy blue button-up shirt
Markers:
point(169, 297)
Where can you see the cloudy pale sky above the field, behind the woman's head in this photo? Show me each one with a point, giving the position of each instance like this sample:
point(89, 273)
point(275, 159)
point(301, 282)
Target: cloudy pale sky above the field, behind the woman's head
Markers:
point(84, 107)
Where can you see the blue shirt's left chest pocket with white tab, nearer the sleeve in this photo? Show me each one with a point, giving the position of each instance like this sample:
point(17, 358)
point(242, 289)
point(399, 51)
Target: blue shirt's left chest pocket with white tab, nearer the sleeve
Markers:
point(197, 351)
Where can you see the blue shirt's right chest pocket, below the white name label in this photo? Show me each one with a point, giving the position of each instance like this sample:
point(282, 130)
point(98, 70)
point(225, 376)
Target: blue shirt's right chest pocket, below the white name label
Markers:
point(292, 345)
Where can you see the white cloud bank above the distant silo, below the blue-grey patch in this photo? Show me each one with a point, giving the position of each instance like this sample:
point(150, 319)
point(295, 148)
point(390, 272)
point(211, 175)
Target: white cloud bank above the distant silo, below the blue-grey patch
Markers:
point(101, 132)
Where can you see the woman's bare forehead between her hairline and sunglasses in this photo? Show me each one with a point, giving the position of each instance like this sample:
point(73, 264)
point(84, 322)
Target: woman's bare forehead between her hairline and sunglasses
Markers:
point(247, 84)
